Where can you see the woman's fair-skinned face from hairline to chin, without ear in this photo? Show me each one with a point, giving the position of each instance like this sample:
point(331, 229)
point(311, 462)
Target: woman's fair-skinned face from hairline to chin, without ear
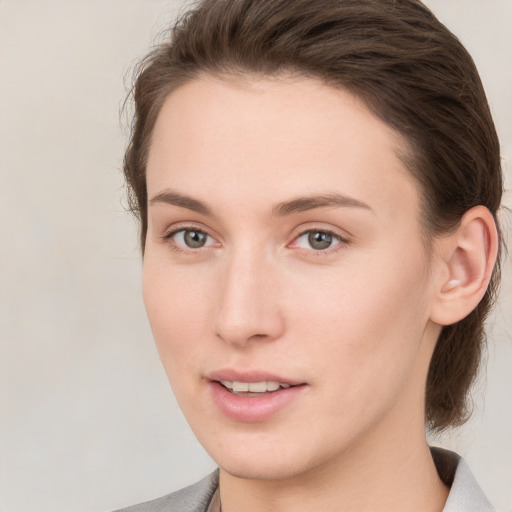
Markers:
point(285, 276)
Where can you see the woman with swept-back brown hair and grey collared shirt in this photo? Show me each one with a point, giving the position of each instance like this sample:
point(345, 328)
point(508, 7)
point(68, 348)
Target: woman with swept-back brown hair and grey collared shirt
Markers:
point(317, 184)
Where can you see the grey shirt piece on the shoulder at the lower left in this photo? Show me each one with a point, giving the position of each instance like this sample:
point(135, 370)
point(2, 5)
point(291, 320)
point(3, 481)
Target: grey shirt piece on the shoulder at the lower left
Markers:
point(194, 498)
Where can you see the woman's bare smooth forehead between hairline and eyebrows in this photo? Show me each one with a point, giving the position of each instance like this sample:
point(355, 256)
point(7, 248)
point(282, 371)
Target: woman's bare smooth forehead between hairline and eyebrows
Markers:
point(270, 138)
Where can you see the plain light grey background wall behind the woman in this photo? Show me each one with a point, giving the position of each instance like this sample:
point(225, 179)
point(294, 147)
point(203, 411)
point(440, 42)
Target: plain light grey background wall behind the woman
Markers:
point(87, 418)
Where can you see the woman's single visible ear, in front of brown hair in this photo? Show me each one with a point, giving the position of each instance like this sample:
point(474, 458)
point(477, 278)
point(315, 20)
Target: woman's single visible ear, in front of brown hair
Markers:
point(465, 259)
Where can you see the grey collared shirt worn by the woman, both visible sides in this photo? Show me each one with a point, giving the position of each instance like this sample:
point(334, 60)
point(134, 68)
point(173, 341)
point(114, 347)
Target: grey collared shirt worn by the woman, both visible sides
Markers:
point(465, 493)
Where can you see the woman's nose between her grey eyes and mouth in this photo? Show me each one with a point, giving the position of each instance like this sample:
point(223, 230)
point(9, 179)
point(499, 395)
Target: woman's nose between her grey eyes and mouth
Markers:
point(248, 306)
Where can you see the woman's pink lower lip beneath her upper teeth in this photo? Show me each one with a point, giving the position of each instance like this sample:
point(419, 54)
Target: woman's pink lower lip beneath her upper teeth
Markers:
point(252, 409)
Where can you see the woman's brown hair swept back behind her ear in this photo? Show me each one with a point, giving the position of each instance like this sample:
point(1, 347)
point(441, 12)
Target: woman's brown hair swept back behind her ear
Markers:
point(412, 73)
